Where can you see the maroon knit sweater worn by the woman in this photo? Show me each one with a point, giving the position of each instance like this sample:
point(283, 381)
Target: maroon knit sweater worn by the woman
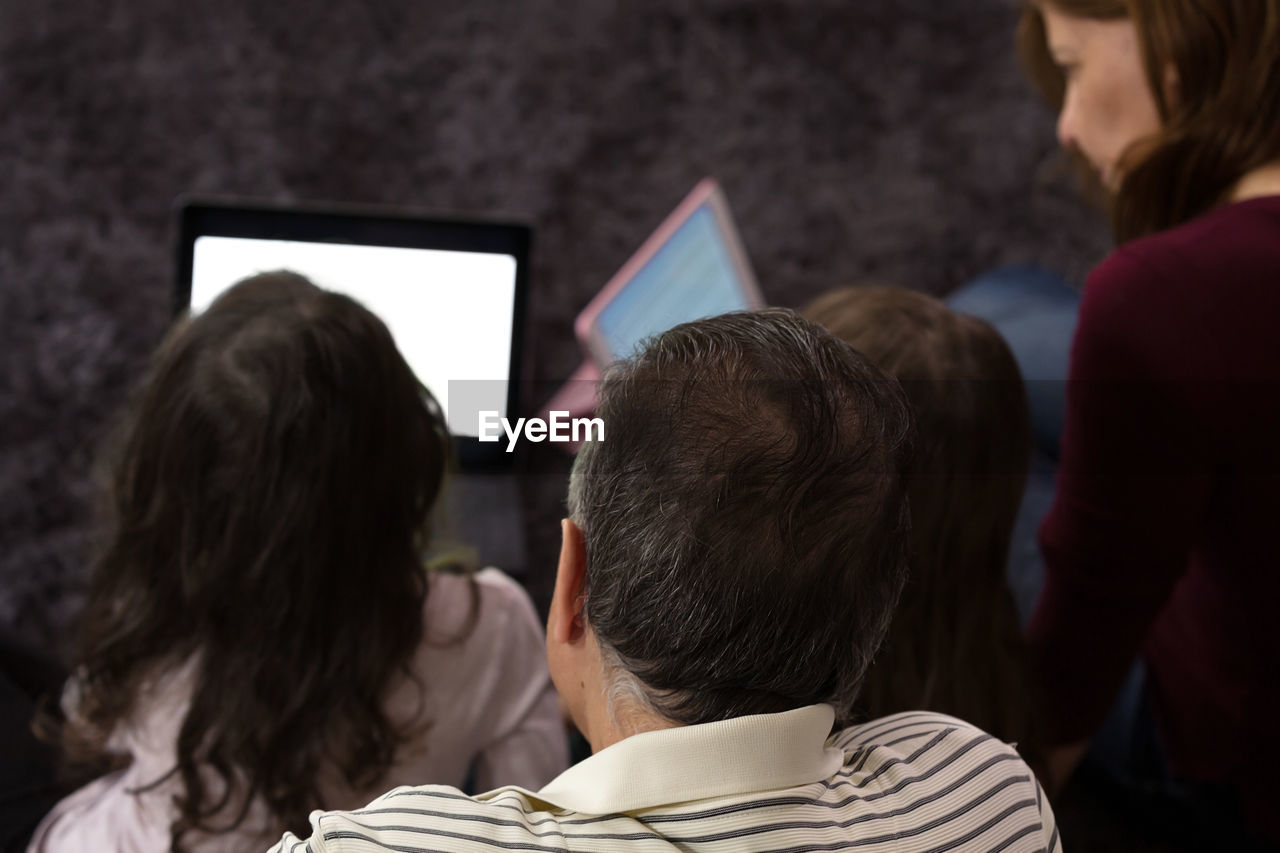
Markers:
point(1164, 539)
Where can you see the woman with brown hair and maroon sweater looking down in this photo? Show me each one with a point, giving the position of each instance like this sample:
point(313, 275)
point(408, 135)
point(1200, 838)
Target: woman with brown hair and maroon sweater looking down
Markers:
point(1160, 546)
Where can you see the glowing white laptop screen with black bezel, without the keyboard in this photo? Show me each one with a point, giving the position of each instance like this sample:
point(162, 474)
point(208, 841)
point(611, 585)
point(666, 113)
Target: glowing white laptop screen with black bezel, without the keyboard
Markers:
point(450, 293)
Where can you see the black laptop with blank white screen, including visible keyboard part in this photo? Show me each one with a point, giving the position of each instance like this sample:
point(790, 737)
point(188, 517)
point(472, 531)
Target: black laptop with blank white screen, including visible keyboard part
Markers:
point(452, 294)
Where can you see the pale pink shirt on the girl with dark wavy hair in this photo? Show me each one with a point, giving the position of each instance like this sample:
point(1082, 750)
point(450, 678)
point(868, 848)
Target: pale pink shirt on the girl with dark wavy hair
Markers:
point(488, 699)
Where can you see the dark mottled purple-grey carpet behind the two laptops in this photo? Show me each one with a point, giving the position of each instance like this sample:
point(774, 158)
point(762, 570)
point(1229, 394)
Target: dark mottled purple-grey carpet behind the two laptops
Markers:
point(884, 139)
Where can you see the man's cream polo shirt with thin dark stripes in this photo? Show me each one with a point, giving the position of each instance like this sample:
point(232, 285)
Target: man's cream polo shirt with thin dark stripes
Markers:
point(911, 782)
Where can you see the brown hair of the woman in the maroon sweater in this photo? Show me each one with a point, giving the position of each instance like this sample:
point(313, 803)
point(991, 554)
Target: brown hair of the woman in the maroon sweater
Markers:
point(1220, 122)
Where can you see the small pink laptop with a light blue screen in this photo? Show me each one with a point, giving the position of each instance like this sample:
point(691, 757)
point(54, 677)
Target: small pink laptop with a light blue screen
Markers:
point(691, 268)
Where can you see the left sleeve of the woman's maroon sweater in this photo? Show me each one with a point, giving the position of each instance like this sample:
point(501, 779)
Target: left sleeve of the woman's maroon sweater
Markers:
point(1131, 494)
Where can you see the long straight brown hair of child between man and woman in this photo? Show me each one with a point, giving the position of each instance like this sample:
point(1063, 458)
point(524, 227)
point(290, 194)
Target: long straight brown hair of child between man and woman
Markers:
point(954, 645)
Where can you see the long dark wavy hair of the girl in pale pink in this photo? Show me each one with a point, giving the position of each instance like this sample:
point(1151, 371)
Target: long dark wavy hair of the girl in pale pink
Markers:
point(266, 519)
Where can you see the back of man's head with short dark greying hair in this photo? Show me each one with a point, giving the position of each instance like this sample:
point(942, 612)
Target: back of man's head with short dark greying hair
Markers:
point(746, 521)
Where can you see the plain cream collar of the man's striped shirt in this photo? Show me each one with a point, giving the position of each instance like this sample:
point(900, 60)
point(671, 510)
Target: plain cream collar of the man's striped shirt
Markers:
point(746, 755)
